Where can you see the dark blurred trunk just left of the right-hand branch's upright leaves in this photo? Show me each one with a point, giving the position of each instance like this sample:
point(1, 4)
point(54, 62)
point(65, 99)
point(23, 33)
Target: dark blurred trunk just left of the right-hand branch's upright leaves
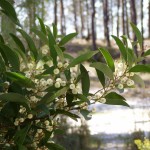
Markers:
point(106, 21)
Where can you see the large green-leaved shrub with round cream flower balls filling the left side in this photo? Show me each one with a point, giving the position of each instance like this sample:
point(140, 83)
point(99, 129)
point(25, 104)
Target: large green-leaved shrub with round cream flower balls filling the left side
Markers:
point(37, 86)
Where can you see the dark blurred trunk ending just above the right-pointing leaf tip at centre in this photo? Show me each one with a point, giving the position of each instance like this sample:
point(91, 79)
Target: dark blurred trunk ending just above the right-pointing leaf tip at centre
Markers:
point(93, 26)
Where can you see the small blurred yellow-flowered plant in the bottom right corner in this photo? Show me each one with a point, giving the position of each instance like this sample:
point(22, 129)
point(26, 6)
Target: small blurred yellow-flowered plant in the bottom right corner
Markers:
point(145, 145)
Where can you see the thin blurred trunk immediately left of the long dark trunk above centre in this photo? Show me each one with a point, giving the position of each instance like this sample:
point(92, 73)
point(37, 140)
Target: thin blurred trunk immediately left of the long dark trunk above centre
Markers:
point(87, 20)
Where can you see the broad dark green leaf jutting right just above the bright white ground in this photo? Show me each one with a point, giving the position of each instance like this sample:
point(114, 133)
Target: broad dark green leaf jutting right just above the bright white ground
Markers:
point(115, 99)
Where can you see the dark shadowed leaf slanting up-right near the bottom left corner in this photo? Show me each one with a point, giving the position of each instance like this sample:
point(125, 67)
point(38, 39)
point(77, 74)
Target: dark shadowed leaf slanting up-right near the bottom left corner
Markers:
point(21, 135)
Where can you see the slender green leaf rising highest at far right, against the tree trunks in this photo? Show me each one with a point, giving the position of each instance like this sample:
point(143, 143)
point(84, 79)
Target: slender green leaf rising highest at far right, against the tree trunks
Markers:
point(137, 33)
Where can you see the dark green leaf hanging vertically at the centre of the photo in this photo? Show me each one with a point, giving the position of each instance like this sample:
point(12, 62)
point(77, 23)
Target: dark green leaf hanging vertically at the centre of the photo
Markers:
point(85, 80)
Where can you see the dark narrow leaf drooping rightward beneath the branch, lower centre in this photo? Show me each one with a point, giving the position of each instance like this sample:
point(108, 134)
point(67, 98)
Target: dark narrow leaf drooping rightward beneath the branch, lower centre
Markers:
point(67, 113)
